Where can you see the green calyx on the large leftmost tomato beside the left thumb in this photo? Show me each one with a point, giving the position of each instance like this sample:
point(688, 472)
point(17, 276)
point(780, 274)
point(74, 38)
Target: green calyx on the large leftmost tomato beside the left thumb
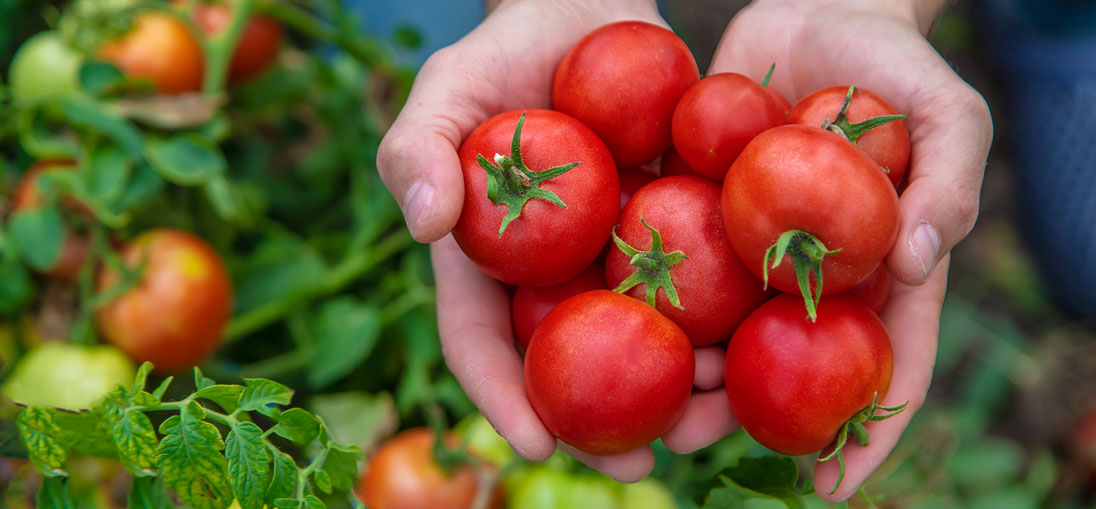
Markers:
point(511, 183)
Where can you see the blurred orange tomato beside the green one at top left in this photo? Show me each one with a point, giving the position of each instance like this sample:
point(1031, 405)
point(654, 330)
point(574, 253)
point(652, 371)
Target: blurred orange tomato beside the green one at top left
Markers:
point(162, 49)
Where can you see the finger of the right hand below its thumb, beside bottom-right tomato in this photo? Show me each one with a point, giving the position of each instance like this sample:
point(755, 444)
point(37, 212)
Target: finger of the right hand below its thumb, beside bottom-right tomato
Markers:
point(912, 318)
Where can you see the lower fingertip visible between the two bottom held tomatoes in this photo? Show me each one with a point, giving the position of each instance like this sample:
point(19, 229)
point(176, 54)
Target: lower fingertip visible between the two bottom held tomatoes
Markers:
point(707, 420)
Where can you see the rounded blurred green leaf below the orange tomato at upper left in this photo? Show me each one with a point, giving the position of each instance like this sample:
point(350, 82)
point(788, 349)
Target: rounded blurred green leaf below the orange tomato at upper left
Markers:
point(186, 160)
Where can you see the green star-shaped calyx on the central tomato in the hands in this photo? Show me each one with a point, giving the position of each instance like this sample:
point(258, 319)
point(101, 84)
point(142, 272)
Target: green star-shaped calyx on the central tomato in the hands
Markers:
point(653, 268)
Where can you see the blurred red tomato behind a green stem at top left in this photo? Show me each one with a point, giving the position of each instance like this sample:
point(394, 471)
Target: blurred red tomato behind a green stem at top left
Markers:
point(258, 46)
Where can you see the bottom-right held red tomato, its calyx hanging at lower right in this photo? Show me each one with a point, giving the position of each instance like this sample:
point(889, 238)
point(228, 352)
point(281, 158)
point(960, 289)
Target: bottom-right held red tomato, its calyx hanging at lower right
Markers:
point(793, 383)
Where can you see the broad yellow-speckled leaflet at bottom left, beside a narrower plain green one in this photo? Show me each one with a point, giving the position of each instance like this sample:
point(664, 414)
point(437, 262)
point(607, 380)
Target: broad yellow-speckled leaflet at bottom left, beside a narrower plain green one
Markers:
point(190, 459)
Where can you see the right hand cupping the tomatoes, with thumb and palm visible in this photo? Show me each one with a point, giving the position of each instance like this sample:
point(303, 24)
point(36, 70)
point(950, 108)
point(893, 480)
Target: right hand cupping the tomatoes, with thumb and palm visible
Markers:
point(878, 46)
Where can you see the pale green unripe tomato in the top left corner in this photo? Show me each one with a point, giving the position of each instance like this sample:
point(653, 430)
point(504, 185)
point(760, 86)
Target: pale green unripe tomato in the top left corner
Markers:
point(45, 65)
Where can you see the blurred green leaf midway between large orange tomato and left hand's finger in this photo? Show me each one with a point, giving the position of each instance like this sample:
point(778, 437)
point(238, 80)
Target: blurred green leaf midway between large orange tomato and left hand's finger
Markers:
point(347, 332)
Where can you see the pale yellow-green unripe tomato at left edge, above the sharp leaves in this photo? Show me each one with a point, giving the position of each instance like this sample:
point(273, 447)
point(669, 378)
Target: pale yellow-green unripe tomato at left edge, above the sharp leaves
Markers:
point(67, 376)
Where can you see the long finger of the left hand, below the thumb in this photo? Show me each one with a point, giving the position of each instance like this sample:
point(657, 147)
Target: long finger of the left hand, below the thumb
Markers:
point(474, 323)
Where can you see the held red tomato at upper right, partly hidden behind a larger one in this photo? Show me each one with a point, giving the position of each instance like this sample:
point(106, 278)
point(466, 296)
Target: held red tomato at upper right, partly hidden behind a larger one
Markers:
point(888, 144)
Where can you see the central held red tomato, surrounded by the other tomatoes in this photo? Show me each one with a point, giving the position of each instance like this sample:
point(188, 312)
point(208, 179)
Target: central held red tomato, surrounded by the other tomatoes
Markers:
point(715, 288)
